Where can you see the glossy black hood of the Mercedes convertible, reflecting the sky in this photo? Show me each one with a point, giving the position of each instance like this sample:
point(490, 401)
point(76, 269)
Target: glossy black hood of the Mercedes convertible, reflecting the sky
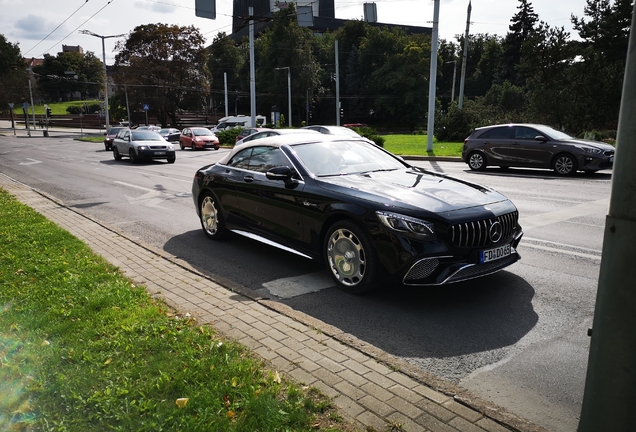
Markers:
point(413, 189)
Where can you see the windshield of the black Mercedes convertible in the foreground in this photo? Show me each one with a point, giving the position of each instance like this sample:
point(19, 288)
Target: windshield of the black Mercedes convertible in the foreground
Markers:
point(344, 157)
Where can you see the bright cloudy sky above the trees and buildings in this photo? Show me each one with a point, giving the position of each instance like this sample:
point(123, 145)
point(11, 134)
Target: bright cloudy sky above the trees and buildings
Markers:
point(43, 26)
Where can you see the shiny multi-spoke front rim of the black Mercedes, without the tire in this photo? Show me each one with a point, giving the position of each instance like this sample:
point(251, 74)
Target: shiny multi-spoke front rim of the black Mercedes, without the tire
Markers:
point(347, 258)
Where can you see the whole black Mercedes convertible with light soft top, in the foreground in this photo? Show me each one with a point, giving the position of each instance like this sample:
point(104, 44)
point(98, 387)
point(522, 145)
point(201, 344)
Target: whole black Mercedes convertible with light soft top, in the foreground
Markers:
point(363, 211)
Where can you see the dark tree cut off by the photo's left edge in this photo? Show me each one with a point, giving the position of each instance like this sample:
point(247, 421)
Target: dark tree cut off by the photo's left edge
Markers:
point(13, 75)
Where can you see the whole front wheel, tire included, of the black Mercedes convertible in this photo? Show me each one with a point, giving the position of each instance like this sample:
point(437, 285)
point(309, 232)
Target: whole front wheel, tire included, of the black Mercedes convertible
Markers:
point(351, 258)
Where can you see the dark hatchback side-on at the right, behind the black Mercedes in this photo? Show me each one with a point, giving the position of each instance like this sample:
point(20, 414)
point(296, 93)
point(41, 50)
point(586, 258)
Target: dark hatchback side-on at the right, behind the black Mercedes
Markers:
point(534, 146)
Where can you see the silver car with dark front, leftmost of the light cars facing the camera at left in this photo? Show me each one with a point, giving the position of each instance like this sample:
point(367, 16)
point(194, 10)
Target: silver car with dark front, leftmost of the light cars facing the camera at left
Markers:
point(141, 145)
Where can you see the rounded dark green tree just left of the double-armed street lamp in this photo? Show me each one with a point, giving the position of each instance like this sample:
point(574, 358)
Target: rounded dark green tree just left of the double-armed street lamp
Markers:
point(70, 75)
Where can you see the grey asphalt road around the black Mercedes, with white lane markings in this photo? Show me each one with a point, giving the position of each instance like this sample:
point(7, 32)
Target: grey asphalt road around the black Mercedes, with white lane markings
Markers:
point(518, 338)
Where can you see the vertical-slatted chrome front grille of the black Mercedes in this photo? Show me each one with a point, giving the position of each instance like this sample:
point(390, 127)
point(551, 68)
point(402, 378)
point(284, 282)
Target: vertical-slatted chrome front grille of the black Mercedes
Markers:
point(477, 233)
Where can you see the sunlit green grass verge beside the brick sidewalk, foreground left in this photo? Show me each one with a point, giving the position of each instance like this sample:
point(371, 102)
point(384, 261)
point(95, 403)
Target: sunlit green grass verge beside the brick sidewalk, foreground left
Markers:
point(83, 348)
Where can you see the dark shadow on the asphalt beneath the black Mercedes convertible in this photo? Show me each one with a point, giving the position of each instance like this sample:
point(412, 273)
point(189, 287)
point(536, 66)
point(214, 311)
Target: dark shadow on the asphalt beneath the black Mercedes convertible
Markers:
point(463, 318)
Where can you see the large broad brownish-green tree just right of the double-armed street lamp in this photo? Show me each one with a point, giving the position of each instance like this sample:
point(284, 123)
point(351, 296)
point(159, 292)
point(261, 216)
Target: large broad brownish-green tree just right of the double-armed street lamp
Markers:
point(165, 67)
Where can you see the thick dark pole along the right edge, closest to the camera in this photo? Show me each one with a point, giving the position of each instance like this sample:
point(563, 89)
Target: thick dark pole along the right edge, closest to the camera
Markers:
point(609, 400)
